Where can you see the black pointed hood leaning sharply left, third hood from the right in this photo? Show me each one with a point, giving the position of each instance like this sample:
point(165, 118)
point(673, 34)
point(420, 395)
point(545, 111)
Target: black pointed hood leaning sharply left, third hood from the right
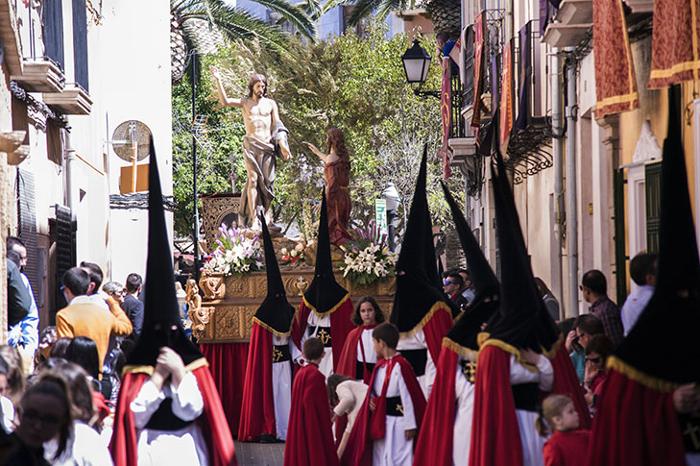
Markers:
point(485, 303)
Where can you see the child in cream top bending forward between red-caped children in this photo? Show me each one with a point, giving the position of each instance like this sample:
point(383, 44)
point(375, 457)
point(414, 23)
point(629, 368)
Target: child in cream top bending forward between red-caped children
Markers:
point(346, 396)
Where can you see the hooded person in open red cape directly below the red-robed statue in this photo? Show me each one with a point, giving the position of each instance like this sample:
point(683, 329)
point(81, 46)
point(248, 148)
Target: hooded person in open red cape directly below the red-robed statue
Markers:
point(325, 310)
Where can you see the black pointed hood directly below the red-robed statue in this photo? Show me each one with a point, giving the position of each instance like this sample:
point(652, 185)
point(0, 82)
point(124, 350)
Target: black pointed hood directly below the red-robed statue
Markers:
point(324, 292)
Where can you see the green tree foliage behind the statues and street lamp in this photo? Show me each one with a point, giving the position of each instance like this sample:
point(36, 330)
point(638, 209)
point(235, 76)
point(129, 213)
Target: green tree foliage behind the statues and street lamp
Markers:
point(355, 84)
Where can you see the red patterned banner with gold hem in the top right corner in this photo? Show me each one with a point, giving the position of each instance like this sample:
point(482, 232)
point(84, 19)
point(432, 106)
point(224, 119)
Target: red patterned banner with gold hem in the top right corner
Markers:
point(675, 51)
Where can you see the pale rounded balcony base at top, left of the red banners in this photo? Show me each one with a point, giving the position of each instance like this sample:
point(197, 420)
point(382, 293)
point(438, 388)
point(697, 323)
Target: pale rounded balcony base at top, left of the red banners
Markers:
point(571, 25)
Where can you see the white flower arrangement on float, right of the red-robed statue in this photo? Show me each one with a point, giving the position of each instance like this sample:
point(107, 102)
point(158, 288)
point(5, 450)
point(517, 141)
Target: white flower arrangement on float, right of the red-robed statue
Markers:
point(367, 261)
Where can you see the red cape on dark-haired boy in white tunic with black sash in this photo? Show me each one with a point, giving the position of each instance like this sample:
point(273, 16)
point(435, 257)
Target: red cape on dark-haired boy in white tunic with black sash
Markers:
point(358, 451)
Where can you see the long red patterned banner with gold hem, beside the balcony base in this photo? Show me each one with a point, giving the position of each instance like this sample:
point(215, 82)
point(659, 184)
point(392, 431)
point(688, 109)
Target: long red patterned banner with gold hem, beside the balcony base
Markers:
point(616, 85)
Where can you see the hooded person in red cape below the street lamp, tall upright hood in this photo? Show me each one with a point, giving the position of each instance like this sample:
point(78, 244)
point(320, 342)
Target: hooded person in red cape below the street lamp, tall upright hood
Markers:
point(421, 312)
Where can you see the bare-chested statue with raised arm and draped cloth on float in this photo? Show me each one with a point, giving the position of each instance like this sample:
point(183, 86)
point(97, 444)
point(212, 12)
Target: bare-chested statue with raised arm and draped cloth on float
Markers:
point(265, 138)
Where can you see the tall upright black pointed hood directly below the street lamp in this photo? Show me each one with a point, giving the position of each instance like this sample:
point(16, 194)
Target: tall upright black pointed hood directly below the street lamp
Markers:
point(417, 280)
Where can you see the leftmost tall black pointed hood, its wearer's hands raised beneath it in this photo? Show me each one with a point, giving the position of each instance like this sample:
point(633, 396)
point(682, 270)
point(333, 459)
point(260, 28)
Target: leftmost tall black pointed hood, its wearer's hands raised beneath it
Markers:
point(162, 325)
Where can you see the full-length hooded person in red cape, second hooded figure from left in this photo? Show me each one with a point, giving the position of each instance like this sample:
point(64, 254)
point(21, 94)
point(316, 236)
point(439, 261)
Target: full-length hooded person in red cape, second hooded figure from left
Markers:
point(267, 390)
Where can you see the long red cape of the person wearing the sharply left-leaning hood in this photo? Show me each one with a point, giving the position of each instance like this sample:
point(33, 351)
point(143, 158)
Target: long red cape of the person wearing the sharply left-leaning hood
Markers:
point(435, 439)
